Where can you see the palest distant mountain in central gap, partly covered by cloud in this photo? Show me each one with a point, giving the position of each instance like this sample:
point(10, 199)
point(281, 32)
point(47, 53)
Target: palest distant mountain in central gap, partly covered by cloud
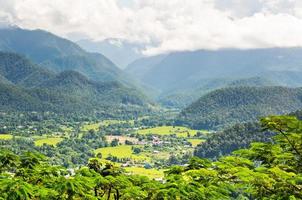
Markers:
point(119, 51)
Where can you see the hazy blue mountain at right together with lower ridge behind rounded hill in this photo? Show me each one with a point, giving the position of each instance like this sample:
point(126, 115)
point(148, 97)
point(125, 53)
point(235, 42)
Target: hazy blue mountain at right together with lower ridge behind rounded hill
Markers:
point(192, 74)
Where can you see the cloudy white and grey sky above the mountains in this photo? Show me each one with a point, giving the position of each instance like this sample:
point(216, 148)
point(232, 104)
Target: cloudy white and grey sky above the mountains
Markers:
point(165, 25)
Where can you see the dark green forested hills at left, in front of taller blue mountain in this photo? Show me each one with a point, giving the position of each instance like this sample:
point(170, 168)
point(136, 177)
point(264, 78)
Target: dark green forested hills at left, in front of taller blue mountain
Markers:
point(29, 87)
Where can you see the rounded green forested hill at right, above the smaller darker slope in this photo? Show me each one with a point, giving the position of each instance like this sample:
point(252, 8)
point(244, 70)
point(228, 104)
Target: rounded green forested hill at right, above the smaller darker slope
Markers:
point(227, 106)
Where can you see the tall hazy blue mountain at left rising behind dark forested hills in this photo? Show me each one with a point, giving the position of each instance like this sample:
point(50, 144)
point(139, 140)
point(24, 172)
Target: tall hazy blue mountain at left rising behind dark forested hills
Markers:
point(58, 54)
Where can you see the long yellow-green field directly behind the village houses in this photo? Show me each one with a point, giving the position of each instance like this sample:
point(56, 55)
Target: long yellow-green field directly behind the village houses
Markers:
point(168, 130)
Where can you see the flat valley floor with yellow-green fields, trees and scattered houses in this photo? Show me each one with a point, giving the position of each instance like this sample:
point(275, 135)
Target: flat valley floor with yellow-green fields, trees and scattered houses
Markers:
point(127, 143)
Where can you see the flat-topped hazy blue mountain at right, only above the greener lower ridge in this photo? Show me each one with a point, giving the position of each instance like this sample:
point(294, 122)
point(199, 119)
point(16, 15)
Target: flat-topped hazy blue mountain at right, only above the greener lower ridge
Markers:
point(194, 66)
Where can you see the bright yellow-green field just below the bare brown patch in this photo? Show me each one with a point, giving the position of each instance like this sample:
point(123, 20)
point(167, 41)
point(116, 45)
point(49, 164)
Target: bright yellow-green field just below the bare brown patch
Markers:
point(122, 151)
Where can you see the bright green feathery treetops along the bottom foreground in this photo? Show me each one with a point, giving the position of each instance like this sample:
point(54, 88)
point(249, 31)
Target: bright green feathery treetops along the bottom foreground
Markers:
point(264, 171)
